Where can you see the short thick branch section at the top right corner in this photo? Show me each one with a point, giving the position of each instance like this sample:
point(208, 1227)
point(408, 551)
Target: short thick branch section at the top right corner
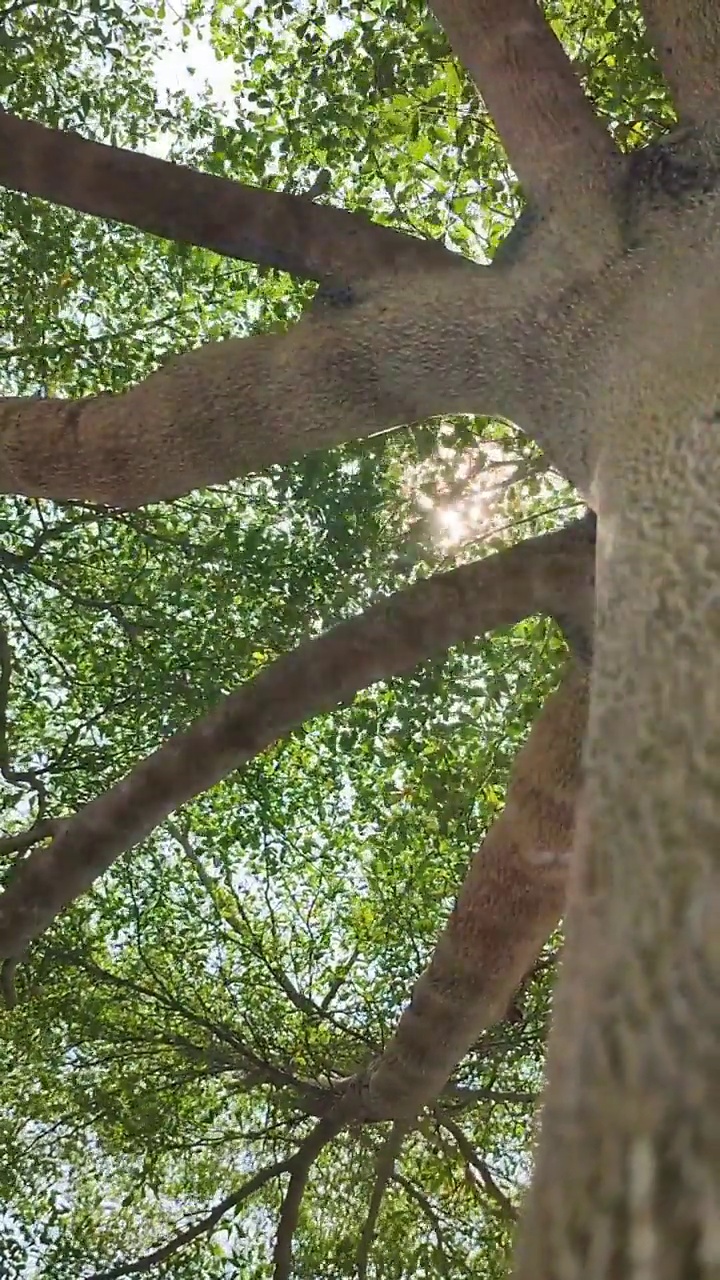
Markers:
point(686, 38)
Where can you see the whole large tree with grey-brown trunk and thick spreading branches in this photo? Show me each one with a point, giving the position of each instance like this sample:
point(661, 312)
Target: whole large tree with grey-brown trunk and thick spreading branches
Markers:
point(595, 330)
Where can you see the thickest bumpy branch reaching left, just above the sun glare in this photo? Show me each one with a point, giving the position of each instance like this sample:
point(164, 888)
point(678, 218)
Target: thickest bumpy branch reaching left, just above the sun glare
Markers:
point(345, 373)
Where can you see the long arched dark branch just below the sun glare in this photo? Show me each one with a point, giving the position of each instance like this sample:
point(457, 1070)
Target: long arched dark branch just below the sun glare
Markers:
point(540, 575)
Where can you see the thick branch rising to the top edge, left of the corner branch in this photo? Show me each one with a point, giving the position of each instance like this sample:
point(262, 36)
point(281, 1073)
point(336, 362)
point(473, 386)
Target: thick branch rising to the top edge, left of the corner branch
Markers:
point(557, 144)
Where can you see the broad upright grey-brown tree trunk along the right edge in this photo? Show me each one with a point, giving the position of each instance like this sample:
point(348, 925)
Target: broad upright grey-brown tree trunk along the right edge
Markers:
point(628, 1174)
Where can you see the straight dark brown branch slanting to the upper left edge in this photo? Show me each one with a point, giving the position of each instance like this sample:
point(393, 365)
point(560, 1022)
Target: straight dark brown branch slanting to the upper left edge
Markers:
point(271, 228)
